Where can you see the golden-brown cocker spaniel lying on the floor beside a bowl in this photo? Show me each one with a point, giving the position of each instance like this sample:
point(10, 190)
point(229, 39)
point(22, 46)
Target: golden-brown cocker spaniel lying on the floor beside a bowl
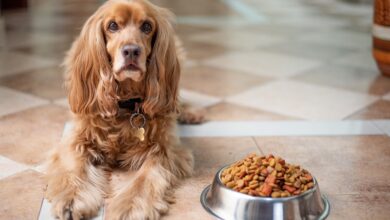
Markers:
point(122, 82)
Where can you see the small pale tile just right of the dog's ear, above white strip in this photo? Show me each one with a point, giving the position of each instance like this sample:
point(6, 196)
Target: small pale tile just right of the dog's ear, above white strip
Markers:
point(197, 100)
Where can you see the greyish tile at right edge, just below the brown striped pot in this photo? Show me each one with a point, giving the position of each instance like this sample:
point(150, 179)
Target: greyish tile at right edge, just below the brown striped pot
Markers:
point(350, 78)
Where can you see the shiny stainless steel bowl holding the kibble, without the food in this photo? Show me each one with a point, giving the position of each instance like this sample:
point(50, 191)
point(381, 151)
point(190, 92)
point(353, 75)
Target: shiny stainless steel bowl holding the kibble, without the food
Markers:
point(224, 203)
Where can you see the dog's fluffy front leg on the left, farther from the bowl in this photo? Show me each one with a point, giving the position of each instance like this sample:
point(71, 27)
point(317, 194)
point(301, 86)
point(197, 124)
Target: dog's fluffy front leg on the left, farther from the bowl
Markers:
point(76, 188)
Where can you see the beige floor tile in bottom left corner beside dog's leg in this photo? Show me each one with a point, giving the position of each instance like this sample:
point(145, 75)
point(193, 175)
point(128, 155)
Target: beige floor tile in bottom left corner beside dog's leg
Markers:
point(21, 196)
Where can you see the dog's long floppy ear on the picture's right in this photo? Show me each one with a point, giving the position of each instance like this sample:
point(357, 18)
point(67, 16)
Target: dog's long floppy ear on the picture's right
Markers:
point(163, 71)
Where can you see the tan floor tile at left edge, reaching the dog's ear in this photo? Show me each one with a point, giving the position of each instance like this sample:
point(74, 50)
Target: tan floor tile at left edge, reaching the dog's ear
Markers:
point(46, 83)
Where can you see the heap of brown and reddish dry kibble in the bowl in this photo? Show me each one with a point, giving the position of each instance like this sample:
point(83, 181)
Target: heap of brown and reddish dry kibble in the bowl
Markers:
point(266, 176)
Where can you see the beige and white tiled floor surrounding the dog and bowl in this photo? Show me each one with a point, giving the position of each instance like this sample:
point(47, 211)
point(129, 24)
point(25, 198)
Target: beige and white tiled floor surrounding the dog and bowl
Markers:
point(273, 62)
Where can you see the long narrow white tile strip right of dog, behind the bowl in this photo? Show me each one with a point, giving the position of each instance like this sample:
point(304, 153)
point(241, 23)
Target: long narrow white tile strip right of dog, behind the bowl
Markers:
point(283, 128)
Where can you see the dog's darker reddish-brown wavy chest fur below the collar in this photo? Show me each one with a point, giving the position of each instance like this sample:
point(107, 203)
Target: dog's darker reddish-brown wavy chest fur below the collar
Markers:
point(114, 143)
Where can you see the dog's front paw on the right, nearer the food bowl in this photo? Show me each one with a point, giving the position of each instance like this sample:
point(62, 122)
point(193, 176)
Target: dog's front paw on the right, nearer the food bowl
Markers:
point(137, 208)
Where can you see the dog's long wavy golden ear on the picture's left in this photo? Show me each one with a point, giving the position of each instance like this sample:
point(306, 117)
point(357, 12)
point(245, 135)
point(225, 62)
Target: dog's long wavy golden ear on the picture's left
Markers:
point(89, 82)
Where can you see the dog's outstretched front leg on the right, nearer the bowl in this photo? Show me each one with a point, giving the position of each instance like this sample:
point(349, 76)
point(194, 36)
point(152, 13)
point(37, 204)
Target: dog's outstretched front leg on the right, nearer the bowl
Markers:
point(146, 196)
